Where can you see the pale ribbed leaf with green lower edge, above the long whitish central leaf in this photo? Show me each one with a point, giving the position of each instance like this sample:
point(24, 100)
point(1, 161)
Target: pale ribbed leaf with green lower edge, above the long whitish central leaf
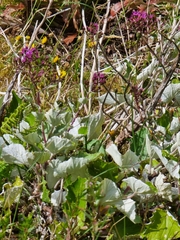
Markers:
point(60, 145)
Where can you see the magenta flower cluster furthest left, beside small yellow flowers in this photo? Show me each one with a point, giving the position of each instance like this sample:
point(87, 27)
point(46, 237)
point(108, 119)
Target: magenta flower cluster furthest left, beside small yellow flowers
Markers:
point(29, 54)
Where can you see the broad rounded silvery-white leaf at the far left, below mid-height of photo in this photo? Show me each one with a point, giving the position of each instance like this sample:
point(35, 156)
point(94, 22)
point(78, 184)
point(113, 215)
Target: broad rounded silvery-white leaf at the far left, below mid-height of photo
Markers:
point(15, 153)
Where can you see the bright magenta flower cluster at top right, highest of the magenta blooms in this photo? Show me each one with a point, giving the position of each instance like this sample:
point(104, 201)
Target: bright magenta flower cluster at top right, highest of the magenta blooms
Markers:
point(140, 20)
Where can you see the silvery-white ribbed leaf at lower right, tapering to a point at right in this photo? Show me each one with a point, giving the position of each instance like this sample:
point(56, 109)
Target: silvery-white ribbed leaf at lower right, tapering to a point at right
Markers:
point(137, 186)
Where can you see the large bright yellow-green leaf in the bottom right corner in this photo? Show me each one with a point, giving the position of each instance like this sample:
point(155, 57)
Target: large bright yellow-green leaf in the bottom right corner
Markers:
point(162, 226)
